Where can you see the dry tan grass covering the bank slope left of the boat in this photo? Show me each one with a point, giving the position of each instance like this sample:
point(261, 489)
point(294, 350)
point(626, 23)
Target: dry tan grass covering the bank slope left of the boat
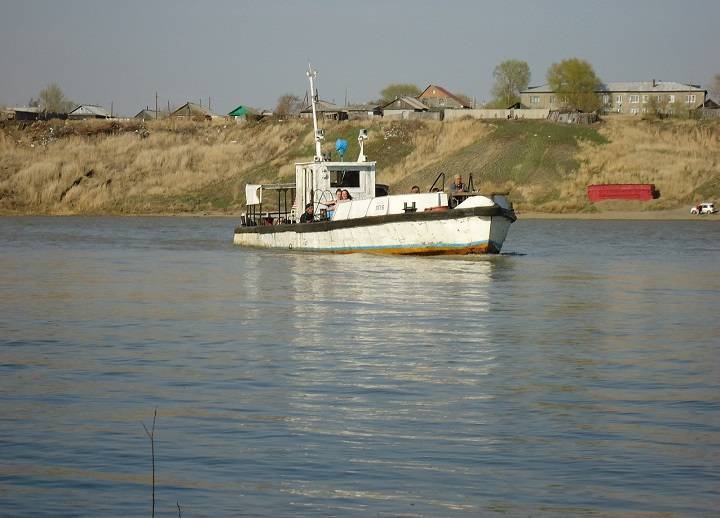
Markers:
point(92, 170)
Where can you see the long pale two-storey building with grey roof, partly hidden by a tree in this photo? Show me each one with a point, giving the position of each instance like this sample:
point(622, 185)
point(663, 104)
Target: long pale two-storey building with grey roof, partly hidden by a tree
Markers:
point(631, 98)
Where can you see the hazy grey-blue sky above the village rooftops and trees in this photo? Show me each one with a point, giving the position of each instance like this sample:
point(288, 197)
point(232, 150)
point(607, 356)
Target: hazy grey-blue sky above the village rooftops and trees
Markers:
point(251, 52)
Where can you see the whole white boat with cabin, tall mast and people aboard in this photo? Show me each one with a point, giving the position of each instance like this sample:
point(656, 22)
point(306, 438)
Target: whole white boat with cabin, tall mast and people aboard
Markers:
point(373, 221)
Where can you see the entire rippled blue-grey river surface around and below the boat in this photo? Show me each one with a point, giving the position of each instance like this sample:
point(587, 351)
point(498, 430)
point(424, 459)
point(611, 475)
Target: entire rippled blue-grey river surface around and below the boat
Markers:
point(577, 373)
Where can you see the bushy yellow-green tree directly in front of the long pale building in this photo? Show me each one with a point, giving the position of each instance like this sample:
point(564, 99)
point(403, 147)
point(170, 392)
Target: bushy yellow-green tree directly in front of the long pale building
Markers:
point(574, 81)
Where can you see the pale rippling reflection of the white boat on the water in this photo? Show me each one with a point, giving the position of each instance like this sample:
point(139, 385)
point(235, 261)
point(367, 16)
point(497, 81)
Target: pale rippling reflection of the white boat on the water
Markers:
point(379, 374)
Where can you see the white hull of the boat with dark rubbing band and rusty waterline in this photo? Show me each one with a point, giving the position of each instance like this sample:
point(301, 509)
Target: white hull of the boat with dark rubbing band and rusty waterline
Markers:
point(470, 231)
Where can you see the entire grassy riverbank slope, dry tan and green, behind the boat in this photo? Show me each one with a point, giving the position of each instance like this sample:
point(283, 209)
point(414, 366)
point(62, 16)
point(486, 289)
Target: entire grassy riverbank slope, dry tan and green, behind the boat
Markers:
point(170, 167)
